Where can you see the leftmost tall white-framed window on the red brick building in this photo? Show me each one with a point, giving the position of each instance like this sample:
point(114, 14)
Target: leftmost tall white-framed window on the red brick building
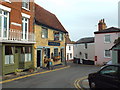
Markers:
point(4, 23)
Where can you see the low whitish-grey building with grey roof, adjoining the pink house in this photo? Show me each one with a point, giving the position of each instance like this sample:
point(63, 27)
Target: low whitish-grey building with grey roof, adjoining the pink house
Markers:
point(85, 50)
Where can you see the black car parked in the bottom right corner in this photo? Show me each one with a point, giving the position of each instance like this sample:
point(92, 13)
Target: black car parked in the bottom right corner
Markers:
point(107, 77)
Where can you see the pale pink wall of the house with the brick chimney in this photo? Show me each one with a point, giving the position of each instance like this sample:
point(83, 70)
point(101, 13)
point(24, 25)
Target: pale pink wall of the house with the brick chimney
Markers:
point(100, 46)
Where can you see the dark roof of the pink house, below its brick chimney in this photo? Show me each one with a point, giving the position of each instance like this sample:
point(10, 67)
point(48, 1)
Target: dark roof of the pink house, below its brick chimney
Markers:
point(108, 30)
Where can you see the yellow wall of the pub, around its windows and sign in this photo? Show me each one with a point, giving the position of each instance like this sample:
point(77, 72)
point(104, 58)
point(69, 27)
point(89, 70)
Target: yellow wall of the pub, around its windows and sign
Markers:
point(43, 42)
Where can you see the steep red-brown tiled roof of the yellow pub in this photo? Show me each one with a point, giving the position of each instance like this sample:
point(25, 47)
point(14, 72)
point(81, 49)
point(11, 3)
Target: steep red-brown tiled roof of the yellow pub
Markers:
point(46, 18)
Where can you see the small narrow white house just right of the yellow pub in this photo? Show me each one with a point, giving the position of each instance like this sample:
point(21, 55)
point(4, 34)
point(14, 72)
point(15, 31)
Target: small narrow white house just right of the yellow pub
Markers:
point(69, 48)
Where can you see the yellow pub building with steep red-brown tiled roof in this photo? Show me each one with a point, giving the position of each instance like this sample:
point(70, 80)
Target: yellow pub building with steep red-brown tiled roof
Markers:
point(50, 38)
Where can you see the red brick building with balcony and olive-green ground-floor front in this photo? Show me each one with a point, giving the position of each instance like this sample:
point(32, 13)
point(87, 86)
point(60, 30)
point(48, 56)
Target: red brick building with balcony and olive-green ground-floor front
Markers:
point(16, 35)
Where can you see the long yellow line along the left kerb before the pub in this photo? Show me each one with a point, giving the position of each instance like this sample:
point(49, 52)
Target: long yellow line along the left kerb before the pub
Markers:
point(32, 75)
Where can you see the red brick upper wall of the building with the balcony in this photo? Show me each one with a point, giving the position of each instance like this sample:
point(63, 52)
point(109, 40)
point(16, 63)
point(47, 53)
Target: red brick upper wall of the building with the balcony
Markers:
point(16, 16)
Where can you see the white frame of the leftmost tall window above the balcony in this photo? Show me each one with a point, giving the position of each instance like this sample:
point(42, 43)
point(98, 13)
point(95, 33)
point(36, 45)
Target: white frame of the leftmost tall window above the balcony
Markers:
point(2, 24)
